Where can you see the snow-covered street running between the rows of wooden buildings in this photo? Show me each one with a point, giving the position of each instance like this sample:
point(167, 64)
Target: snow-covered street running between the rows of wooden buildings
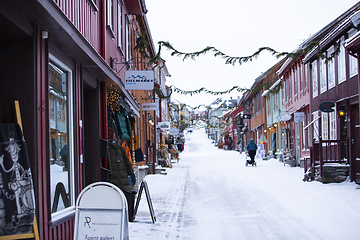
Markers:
point(210, 194)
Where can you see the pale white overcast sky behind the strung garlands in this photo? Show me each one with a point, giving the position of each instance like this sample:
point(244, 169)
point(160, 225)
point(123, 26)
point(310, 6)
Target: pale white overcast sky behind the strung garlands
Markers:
point(236, 27)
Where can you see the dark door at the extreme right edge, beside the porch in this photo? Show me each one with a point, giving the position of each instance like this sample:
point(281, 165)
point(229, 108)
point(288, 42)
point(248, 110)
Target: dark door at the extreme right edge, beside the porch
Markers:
point(355, 143)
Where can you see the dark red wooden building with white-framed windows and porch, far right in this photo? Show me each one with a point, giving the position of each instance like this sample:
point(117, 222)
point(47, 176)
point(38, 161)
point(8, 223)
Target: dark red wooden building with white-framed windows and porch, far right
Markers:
point(334, 94)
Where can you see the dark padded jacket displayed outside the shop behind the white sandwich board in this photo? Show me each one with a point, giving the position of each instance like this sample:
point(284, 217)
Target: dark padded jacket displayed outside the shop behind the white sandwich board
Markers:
point(120, 167)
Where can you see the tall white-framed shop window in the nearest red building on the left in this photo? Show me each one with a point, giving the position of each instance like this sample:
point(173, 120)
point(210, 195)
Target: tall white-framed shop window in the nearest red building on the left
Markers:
point(61, 156)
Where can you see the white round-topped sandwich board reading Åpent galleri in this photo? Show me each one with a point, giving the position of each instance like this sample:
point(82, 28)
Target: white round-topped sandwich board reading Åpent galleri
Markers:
point(101, 213)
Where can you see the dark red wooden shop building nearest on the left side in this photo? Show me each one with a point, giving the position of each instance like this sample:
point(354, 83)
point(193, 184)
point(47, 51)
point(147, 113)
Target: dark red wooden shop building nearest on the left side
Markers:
point(57, 58)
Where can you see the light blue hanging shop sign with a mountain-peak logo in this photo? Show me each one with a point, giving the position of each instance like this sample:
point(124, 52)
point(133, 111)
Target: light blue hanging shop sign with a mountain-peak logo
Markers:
point(139, 80)
